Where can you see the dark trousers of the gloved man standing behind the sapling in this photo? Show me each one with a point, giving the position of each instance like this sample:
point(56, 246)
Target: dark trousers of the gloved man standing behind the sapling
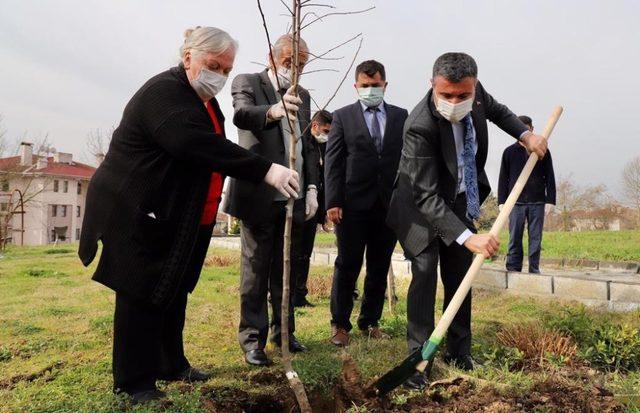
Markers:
point(261, 273)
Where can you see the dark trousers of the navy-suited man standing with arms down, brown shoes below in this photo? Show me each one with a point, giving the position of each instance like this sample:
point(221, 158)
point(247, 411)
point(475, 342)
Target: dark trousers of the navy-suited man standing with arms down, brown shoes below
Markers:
point(357, 231)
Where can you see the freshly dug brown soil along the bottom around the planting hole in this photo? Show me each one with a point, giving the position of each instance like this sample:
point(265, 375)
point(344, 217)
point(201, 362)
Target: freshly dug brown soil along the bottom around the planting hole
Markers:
point(559, 393)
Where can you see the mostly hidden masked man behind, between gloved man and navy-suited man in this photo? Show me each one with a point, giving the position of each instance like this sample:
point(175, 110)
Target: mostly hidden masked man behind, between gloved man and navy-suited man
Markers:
point(320, 127)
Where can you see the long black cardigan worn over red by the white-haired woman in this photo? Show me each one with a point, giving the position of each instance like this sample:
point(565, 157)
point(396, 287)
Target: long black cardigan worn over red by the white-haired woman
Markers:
point(159, 162)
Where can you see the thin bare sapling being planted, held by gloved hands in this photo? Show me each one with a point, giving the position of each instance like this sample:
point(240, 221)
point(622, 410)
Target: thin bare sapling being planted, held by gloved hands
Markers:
point(299, 11)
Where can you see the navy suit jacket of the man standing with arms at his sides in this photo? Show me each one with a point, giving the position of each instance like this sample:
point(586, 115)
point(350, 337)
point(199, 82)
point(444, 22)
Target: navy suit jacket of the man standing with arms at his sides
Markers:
point(355, 175)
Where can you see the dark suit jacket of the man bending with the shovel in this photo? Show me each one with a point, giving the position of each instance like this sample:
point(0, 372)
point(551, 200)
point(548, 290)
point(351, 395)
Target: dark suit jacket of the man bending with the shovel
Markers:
point(425, 188)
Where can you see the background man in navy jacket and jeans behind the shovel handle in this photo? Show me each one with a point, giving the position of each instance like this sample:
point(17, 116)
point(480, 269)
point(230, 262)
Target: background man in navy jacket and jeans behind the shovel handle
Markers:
point(530, 207)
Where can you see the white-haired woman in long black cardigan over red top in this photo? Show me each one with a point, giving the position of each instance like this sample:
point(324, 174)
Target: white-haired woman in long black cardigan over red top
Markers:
point(153, 203)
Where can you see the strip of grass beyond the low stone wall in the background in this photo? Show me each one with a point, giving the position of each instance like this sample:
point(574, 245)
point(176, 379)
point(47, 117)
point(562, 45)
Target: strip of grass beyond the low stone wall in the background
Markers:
point(594, 245)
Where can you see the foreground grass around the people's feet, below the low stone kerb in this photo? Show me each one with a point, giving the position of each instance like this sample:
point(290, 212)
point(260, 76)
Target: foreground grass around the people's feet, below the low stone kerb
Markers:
point(56, 336)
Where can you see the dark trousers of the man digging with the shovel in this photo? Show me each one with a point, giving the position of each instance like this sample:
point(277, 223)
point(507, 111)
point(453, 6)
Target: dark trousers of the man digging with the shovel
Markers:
point(454, 260)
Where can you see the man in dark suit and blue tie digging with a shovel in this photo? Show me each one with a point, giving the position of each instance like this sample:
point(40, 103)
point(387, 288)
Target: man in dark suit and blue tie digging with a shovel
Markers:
point(440, 186)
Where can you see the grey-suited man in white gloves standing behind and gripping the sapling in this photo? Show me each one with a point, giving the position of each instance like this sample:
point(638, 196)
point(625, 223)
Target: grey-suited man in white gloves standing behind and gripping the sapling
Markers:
point(260, 116)
